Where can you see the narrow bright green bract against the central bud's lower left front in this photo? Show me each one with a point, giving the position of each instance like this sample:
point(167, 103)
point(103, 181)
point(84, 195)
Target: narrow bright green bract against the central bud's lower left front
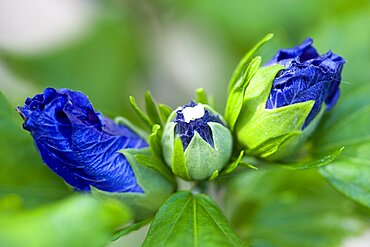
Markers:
point(179, 161)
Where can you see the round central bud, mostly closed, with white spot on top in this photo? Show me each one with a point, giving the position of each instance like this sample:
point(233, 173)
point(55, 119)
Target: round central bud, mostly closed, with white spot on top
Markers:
point(196, 142)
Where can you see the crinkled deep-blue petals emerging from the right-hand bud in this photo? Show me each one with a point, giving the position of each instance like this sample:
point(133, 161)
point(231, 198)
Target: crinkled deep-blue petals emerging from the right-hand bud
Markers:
point(308, 76)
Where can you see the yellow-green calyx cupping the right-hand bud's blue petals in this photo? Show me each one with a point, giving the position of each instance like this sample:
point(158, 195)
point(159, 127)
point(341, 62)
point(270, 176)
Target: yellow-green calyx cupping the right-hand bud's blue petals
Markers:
point(262, 131)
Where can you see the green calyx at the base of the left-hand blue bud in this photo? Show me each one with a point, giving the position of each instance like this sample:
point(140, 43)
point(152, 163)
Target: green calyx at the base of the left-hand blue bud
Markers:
point(149, 175)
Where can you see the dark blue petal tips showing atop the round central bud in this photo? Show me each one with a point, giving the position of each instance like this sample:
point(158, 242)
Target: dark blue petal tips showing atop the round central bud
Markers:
point(186, 130)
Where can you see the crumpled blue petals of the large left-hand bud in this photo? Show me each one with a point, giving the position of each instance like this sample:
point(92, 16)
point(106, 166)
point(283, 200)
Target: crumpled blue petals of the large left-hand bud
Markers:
point(79, 144)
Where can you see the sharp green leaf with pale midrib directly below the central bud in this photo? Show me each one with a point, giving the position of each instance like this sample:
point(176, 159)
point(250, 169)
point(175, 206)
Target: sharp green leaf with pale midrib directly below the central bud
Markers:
point(191, 220)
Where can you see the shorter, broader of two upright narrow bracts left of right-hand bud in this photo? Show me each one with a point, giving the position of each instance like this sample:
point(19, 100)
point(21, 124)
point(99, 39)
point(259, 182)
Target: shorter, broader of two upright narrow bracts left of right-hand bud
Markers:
point(236, 95)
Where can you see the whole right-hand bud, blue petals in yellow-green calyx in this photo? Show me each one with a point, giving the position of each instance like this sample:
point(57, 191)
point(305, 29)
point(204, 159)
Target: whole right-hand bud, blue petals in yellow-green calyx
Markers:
point(283, 101)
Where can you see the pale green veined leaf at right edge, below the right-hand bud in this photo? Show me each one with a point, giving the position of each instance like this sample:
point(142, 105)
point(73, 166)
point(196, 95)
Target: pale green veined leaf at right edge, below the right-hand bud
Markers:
point(350, 173)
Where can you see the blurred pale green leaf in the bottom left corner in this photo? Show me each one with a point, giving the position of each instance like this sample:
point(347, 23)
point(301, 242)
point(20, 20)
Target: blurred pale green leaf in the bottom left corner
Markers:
point(76, 221)
